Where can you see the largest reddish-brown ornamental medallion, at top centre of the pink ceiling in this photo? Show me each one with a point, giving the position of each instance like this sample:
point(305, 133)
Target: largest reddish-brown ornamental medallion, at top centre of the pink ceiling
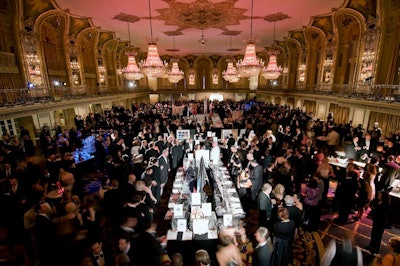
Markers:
point(202, 14)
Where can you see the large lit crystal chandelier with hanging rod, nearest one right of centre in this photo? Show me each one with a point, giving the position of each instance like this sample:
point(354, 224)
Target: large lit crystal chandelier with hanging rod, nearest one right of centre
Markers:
point(250, 65)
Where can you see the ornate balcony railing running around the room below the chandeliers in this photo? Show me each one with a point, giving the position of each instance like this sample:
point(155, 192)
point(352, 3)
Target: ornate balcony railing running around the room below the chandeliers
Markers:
point(368, 92)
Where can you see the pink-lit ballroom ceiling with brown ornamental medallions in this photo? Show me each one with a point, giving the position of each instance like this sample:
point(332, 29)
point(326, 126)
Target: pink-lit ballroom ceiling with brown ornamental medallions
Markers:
point(187, 20)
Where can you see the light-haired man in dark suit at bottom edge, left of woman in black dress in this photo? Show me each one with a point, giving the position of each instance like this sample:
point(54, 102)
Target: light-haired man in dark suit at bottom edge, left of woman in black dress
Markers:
point(263, 251)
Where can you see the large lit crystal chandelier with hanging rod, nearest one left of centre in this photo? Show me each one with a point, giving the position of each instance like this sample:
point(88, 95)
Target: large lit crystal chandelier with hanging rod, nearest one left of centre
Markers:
point(152, 66)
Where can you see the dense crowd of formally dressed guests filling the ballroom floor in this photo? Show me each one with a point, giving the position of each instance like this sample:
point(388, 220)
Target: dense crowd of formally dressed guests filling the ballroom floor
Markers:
point(279, 165)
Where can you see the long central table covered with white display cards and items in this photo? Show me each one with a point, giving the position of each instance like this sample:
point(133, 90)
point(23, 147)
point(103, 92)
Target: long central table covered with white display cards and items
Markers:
point(196, 218)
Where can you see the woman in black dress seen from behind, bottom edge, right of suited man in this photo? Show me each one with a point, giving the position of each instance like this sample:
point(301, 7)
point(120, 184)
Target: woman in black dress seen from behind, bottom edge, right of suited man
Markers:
point(283, 239)
